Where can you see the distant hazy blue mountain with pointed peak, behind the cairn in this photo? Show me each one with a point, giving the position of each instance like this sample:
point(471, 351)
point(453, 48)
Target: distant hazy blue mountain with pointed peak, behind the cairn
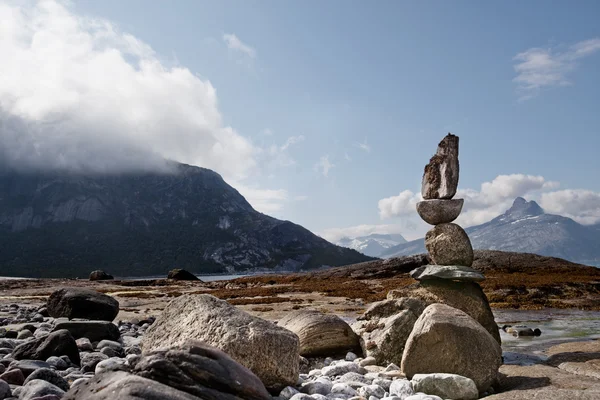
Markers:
point(525, 227)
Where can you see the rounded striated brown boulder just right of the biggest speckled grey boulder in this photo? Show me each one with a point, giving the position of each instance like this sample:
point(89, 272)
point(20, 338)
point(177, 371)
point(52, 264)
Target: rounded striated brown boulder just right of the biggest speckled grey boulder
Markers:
point(320, 334)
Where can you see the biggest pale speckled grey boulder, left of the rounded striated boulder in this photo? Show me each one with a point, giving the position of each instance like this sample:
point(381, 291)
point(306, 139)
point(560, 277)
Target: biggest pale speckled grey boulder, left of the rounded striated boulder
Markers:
point(268, 350)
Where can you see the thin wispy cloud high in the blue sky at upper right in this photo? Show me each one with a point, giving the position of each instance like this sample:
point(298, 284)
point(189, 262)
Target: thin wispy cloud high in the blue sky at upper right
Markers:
point(539, 68)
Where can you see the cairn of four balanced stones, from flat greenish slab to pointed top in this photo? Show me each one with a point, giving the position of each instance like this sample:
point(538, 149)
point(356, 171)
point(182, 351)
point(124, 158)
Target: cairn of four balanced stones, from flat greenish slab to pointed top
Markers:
point(447, 243)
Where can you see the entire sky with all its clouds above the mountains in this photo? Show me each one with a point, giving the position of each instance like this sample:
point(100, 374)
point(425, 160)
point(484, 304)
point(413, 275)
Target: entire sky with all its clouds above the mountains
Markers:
point(319, 112)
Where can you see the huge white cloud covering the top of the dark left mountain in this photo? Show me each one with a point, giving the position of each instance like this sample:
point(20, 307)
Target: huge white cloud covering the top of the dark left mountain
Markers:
point(77, 93)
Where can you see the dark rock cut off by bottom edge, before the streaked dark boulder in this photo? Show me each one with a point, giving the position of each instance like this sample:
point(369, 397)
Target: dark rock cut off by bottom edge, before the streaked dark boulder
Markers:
point(121, 385)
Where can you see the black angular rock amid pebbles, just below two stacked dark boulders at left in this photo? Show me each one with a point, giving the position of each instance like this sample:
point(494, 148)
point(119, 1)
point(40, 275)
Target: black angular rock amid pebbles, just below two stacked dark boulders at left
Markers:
point(55, 344)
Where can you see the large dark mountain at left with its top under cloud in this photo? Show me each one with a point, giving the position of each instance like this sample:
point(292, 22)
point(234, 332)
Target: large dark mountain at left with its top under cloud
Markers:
point(135, 224)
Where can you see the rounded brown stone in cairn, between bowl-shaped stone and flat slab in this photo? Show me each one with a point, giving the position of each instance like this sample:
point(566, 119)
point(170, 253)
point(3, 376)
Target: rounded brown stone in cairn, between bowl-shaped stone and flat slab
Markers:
point(449, 244)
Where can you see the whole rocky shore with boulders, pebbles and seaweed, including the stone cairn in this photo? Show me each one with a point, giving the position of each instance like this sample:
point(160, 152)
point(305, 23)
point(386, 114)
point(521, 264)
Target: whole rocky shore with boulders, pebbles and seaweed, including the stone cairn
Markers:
point(417, 328)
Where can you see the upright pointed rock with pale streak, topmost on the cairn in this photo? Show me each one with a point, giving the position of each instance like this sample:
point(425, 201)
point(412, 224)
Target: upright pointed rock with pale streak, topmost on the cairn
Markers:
point(440, 179)
